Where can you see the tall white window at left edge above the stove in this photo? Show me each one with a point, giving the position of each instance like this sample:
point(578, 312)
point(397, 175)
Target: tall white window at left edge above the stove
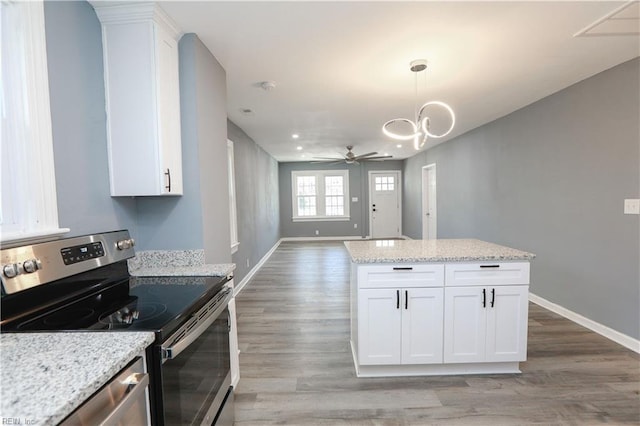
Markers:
point(28, 206)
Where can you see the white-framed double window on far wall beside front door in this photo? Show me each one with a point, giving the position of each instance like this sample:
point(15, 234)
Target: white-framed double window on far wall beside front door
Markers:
point(320, 195)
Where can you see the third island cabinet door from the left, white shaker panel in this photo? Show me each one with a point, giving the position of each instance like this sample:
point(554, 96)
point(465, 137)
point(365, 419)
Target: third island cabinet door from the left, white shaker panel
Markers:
point(464, 324)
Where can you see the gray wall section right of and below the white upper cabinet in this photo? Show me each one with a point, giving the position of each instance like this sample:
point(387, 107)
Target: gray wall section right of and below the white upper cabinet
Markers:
point(200, 217)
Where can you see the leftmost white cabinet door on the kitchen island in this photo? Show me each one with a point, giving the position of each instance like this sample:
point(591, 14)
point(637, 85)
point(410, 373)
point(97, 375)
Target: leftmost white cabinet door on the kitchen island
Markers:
point(379, 323)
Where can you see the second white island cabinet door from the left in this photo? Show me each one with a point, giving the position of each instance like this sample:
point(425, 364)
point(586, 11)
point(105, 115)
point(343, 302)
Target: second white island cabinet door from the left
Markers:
point(422, 310)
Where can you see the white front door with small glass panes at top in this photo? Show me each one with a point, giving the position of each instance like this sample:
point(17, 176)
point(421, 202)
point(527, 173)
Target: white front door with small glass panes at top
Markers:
point(384, 204)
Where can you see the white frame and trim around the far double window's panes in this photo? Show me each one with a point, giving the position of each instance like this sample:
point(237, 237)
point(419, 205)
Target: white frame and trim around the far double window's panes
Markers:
point(320, 195)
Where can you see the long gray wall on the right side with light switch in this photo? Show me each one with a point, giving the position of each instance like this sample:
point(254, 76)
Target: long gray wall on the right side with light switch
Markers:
point(551, 179)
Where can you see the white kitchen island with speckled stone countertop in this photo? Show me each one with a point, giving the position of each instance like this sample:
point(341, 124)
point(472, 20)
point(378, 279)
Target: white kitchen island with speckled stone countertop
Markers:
point(433, 307)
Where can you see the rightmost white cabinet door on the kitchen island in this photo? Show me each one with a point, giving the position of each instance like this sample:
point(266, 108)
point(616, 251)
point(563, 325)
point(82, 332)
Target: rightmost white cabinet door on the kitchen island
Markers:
point(507, 323)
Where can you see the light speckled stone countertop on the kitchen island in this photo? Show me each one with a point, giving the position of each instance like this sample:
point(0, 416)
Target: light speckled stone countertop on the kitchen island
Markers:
point(444, 250)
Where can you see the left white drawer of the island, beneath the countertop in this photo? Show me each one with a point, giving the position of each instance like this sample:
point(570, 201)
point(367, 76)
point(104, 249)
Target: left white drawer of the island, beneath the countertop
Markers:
point(400, 275)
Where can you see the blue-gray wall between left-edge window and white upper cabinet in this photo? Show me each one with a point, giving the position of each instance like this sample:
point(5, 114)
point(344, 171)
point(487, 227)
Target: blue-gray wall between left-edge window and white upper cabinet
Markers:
point(76, 86)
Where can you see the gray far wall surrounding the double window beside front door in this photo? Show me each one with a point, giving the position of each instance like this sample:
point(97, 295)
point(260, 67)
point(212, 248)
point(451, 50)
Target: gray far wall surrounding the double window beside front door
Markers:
point(358, 187)
